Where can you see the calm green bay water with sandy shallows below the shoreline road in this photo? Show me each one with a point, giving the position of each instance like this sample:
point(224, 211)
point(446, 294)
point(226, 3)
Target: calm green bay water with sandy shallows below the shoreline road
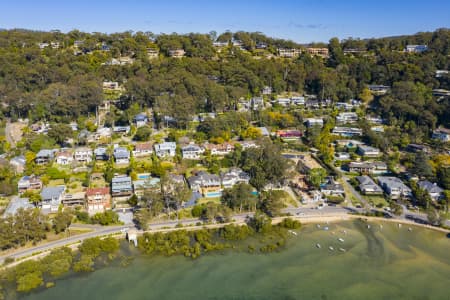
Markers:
point(379, 263)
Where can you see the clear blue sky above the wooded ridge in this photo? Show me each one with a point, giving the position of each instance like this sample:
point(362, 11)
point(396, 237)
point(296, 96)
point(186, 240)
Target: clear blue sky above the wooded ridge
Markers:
point(301, 20)
